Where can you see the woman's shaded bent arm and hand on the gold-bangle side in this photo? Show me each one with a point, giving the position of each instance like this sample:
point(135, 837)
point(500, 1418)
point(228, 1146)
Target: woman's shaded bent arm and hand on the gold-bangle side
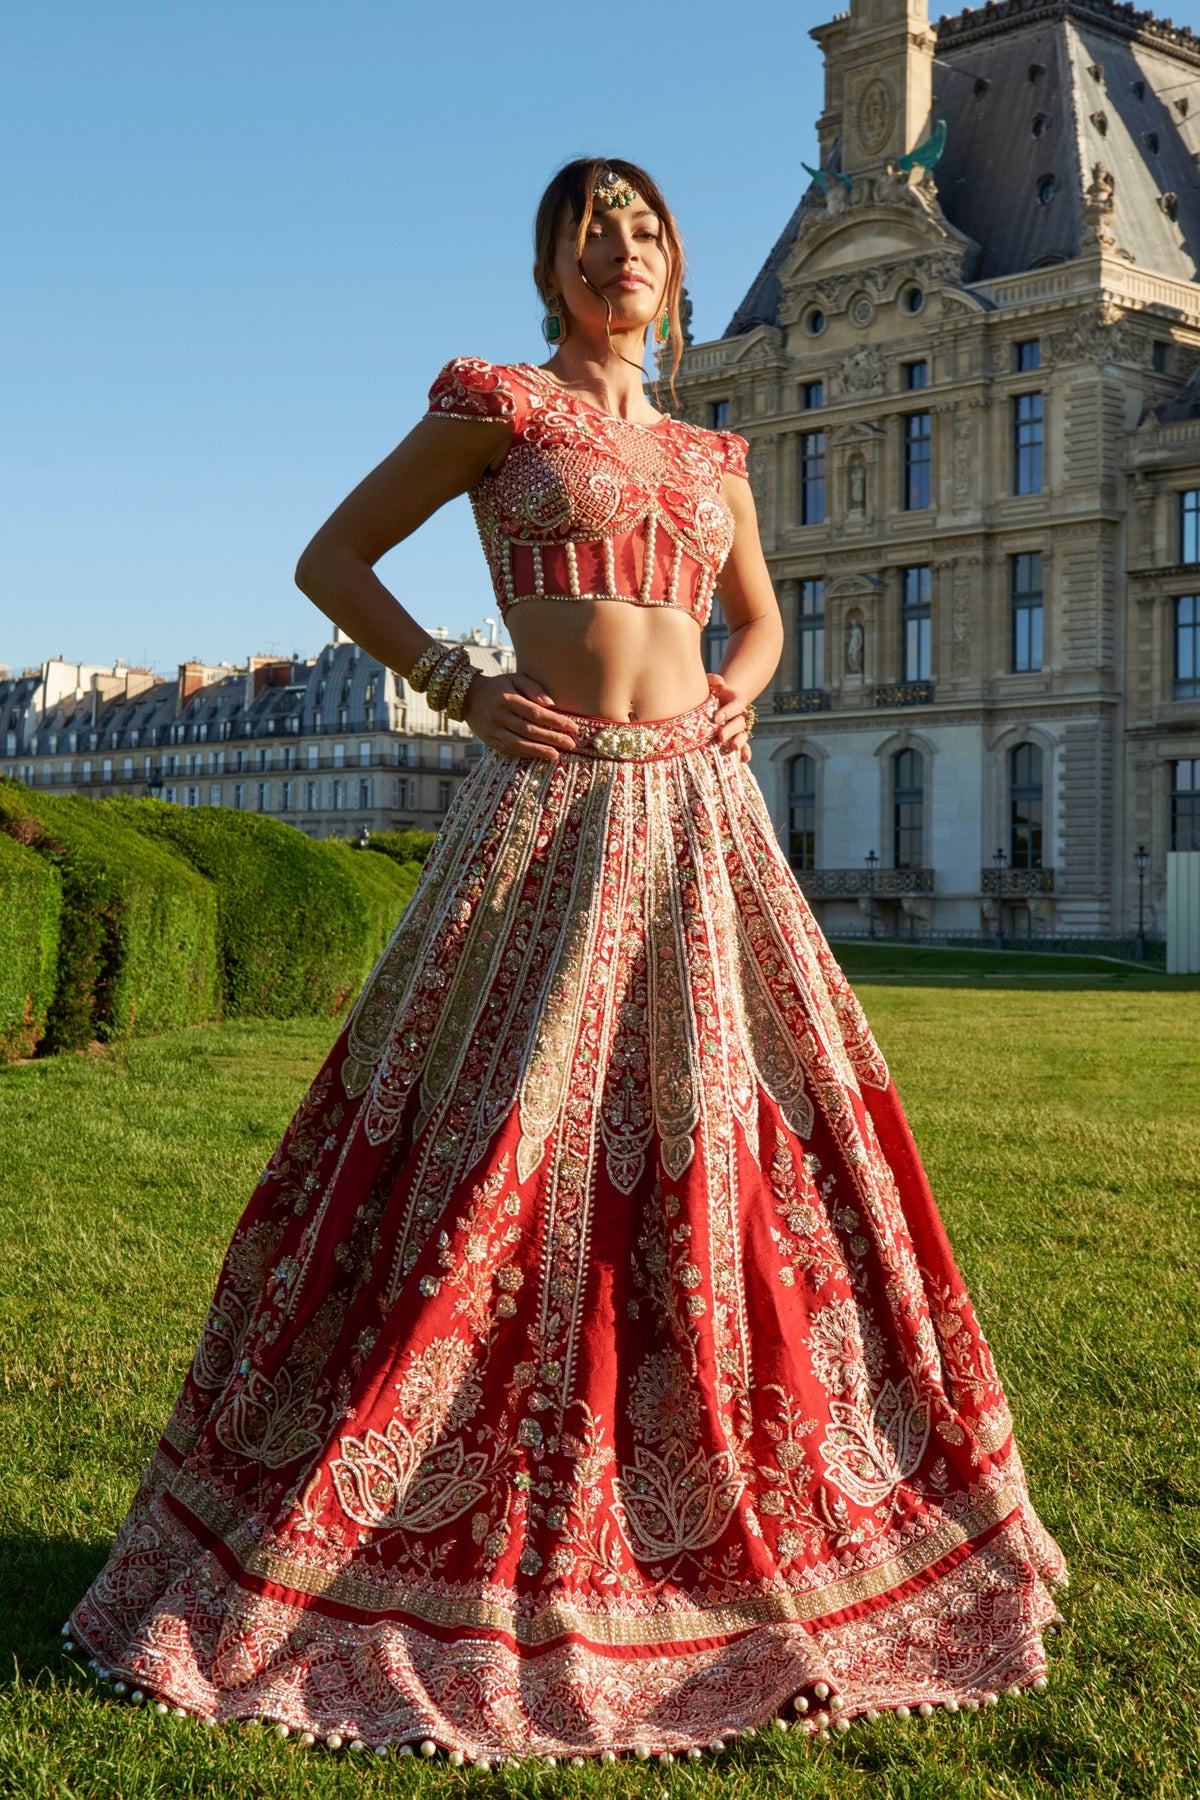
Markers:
point(434, 463)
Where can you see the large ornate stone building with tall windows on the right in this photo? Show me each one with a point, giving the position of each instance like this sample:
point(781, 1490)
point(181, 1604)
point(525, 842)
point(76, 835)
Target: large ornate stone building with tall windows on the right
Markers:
point(971, 381)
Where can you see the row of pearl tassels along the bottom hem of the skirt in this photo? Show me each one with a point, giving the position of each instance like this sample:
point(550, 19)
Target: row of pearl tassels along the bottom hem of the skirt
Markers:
point(825, 1723)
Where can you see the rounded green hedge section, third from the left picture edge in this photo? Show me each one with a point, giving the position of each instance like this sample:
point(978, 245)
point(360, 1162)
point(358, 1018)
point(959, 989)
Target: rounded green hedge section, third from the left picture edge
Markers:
point(292, 924)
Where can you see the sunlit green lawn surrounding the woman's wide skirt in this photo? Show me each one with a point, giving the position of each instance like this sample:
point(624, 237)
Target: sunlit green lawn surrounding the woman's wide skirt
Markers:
point(1062, 1140)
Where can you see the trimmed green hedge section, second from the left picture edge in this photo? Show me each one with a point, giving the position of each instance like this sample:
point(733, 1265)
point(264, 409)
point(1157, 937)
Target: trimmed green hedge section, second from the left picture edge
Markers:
point(138, 940)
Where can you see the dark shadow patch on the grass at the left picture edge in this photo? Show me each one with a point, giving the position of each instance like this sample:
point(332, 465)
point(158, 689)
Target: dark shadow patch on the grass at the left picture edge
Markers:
point(40, 1581)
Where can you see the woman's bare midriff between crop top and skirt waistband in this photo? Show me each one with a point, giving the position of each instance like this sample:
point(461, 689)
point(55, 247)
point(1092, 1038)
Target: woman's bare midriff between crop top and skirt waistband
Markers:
point(609, 658)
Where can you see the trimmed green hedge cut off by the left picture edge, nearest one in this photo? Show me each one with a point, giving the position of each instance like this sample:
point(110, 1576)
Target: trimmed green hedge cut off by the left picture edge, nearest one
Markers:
point(31, 904)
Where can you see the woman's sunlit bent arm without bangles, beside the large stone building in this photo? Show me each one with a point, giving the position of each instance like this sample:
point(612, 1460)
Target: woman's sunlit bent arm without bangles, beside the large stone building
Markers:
point(753, 616)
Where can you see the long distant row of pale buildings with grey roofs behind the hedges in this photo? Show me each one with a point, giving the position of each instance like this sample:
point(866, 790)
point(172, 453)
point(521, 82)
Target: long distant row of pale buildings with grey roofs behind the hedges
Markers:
point(336, 744)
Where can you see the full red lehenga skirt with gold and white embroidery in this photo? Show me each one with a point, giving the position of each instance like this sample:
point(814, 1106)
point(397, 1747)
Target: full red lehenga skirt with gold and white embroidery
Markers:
point(591, 1369)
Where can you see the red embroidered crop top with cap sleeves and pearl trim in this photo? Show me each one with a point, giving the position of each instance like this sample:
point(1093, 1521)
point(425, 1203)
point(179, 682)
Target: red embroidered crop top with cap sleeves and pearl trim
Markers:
point(591, 507)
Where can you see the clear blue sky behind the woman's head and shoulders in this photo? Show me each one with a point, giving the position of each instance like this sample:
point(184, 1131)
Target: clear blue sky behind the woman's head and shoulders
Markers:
point(244, 237)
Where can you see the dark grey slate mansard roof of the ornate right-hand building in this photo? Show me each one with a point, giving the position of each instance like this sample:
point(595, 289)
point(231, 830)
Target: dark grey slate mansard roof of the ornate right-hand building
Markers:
point(1035, 94)
